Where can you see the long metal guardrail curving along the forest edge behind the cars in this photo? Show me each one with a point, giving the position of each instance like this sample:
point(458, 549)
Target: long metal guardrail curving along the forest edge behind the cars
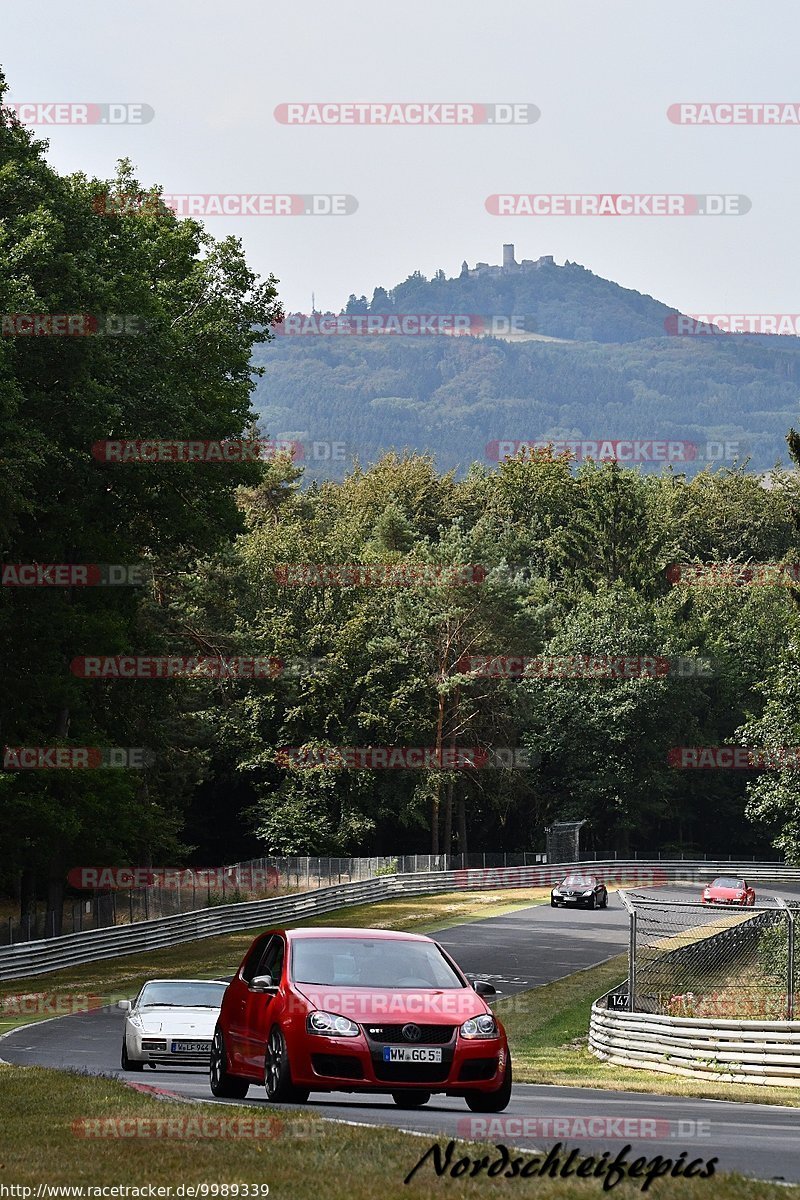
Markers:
point(39, 958)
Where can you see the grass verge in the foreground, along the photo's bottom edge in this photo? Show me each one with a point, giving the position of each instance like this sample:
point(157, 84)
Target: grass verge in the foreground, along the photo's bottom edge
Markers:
point(45, 1112)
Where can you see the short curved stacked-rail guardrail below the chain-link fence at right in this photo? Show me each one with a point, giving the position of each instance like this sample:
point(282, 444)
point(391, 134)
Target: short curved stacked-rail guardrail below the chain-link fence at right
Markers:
point(725, 1051)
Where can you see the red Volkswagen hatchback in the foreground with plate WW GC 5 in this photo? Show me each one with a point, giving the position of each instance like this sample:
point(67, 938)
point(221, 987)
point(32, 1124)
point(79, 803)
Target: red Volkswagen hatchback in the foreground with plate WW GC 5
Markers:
point(358, 1011)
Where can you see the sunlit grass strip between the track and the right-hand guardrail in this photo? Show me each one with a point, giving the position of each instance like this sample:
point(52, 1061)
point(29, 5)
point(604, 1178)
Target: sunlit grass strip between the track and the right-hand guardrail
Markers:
point(549, 1035)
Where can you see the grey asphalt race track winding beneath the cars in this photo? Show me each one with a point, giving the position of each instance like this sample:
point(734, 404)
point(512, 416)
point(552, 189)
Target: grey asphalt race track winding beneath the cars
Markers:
point(516, 952)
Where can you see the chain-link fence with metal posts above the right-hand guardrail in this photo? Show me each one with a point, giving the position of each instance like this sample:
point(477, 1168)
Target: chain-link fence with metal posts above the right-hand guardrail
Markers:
point(690, 959)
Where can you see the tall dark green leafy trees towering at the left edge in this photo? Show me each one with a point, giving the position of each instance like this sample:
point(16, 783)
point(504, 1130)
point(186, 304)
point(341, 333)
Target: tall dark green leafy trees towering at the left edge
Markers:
point(79, 247)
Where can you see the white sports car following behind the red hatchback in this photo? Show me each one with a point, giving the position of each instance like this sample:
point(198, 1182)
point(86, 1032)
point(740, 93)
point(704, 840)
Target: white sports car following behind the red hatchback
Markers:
point(172, 1023)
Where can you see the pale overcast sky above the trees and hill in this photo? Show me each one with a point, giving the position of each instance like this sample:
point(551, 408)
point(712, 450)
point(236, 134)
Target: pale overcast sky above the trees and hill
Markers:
point(603, 75)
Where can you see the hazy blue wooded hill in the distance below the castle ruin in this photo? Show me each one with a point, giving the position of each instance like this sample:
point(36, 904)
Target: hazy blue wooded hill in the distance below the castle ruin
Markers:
point(599, 363)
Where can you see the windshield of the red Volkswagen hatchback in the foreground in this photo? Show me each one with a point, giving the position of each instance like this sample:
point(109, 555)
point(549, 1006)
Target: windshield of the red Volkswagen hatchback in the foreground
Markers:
point(364, 963)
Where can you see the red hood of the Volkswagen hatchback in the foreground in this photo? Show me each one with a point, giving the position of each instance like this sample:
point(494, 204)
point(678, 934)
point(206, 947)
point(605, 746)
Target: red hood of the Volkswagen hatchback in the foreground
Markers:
point(431, 1006)
